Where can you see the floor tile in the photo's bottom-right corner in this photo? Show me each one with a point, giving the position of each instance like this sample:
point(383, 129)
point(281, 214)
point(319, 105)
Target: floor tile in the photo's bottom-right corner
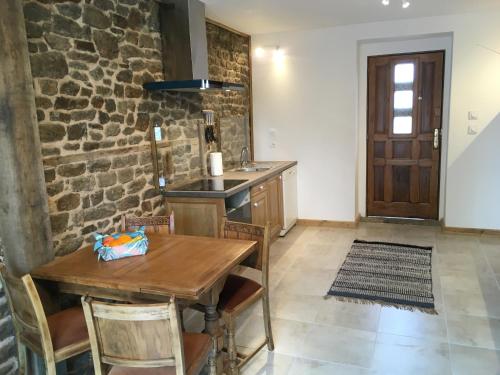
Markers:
point(466, 360)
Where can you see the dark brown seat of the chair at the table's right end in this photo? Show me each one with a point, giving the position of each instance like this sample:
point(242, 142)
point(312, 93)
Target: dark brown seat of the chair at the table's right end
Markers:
point(237, 290)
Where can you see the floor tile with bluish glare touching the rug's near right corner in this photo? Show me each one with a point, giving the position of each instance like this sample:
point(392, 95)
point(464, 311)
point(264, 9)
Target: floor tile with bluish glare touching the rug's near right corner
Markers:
point(412, 323)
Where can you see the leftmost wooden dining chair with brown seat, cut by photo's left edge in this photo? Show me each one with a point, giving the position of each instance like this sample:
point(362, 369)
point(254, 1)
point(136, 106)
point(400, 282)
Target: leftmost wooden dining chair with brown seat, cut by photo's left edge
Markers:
point(55, 337)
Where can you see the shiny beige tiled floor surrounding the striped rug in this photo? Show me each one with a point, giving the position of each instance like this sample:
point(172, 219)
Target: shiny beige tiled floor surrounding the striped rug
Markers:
point(318, 336)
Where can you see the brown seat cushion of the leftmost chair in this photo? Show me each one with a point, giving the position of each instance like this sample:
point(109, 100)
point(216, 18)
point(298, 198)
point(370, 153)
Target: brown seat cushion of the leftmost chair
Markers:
point(67, 327)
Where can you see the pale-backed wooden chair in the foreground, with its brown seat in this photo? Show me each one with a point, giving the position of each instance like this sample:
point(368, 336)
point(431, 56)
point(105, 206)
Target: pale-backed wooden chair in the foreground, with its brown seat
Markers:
point(143, 340)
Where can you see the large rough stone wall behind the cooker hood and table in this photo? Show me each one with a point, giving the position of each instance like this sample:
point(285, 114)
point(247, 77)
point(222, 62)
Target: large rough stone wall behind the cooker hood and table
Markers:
point(89, 60)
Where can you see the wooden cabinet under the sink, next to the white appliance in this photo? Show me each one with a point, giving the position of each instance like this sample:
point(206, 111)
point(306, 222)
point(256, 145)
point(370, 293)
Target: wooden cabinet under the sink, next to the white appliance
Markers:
point(269, 194)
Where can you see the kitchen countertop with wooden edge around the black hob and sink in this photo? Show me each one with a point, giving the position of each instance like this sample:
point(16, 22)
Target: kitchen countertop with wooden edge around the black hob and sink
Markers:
point(253, 178)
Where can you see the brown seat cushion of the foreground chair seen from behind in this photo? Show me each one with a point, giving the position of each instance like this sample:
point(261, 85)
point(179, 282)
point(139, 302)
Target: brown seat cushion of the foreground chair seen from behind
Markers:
point(196, 349)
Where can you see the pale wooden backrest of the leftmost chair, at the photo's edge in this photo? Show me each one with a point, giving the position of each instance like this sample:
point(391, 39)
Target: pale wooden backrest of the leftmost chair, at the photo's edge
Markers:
point(28, 315)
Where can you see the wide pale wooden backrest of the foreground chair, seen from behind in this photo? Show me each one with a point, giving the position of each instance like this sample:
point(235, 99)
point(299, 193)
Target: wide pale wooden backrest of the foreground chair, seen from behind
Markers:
point(134, 335)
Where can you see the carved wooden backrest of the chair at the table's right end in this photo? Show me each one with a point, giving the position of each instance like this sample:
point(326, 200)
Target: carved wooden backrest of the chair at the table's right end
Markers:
point(242, 231)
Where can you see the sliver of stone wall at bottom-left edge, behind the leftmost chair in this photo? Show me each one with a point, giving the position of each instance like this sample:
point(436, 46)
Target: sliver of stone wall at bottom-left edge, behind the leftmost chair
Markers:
point(8, 349)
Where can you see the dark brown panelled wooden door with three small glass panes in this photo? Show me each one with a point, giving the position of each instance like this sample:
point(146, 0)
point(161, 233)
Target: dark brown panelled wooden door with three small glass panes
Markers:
point(405, 94)
